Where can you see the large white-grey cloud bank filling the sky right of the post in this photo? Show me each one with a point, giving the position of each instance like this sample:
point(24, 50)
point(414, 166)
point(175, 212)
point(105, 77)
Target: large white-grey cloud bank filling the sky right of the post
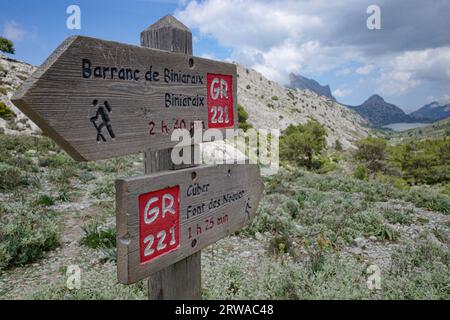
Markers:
point(312, 37)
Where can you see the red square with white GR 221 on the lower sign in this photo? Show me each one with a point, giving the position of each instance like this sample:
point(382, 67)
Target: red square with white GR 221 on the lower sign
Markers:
point(159, 223)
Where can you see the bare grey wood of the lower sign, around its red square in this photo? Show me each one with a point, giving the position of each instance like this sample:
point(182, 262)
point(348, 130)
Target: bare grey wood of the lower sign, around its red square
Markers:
point(240, 182)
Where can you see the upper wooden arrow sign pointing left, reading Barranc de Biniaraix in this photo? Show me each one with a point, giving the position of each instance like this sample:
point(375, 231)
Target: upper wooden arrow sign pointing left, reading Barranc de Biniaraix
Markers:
point(99, 99)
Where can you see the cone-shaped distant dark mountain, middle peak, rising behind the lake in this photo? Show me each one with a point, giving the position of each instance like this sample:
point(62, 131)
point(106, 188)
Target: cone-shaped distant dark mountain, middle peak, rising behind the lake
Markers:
point(380, 113)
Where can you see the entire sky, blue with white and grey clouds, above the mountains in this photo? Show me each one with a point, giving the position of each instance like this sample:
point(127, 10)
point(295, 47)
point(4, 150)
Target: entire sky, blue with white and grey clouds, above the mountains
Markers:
point(407, 61)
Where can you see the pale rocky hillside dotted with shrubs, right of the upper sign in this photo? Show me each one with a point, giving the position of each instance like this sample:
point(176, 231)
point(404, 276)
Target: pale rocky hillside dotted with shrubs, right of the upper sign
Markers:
point(273, 106)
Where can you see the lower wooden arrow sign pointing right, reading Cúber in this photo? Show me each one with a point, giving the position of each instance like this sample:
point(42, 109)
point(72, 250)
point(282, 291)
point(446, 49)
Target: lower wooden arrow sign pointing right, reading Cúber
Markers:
point(165, 217)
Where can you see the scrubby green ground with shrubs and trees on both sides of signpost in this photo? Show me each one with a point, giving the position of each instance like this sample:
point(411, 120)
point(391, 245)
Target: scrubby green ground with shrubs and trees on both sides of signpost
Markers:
point(324, 219)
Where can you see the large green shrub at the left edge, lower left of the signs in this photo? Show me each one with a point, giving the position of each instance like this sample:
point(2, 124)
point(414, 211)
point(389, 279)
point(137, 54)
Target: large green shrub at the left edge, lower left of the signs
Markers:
point(26, 233)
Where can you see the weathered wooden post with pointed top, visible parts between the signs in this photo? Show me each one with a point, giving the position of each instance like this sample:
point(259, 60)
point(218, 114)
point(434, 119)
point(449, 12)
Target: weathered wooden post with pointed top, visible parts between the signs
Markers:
point(181, 280)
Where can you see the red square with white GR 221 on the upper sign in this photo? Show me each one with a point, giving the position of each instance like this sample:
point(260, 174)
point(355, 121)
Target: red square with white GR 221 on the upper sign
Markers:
point(220, 101)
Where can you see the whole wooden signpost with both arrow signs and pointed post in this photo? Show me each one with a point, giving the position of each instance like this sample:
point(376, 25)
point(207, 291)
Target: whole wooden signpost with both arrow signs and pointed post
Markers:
point(99, 99)
